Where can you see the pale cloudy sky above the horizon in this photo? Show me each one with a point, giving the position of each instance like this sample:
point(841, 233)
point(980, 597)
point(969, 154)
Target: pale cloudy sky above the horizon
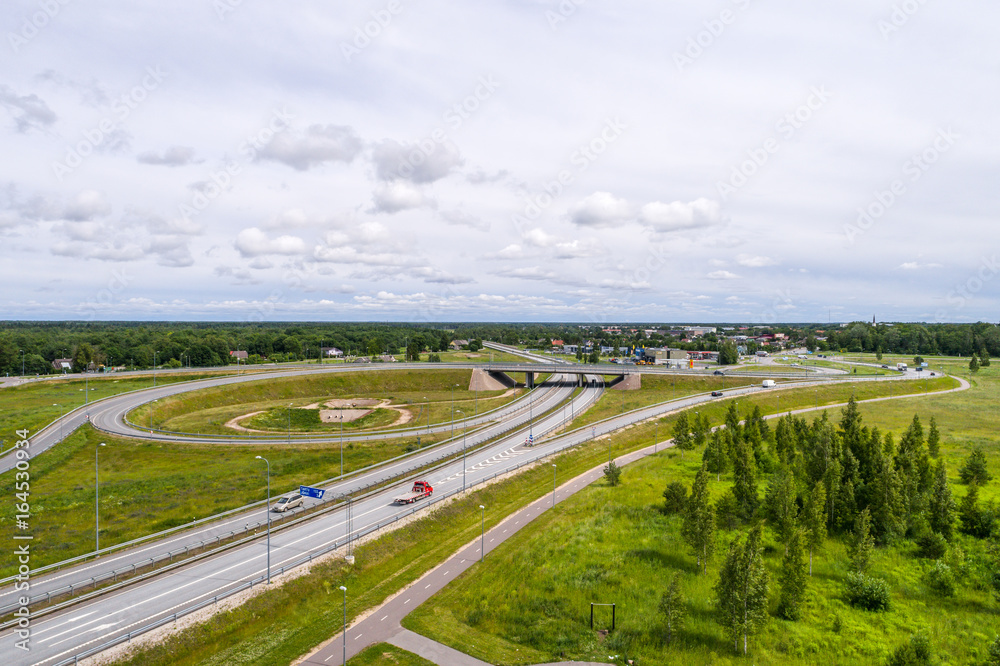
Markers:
point(520, 160)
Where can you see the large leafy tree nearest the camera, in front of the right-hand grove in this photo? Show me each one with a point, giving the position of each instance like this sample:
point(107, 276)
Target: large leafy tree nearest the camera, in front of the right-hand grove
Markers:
point(742, 588)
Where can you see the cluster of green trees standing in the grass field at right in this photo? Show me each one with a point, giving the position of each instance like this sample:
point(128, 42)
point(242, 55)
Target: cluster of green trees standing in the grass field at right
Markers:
point(845, 480)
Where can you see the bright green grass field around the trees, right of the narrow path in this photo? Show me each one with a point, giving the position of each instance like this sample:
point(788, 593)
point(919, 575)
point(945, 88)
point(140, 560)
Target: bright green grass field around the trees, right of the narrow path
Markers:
point(615, 545)
